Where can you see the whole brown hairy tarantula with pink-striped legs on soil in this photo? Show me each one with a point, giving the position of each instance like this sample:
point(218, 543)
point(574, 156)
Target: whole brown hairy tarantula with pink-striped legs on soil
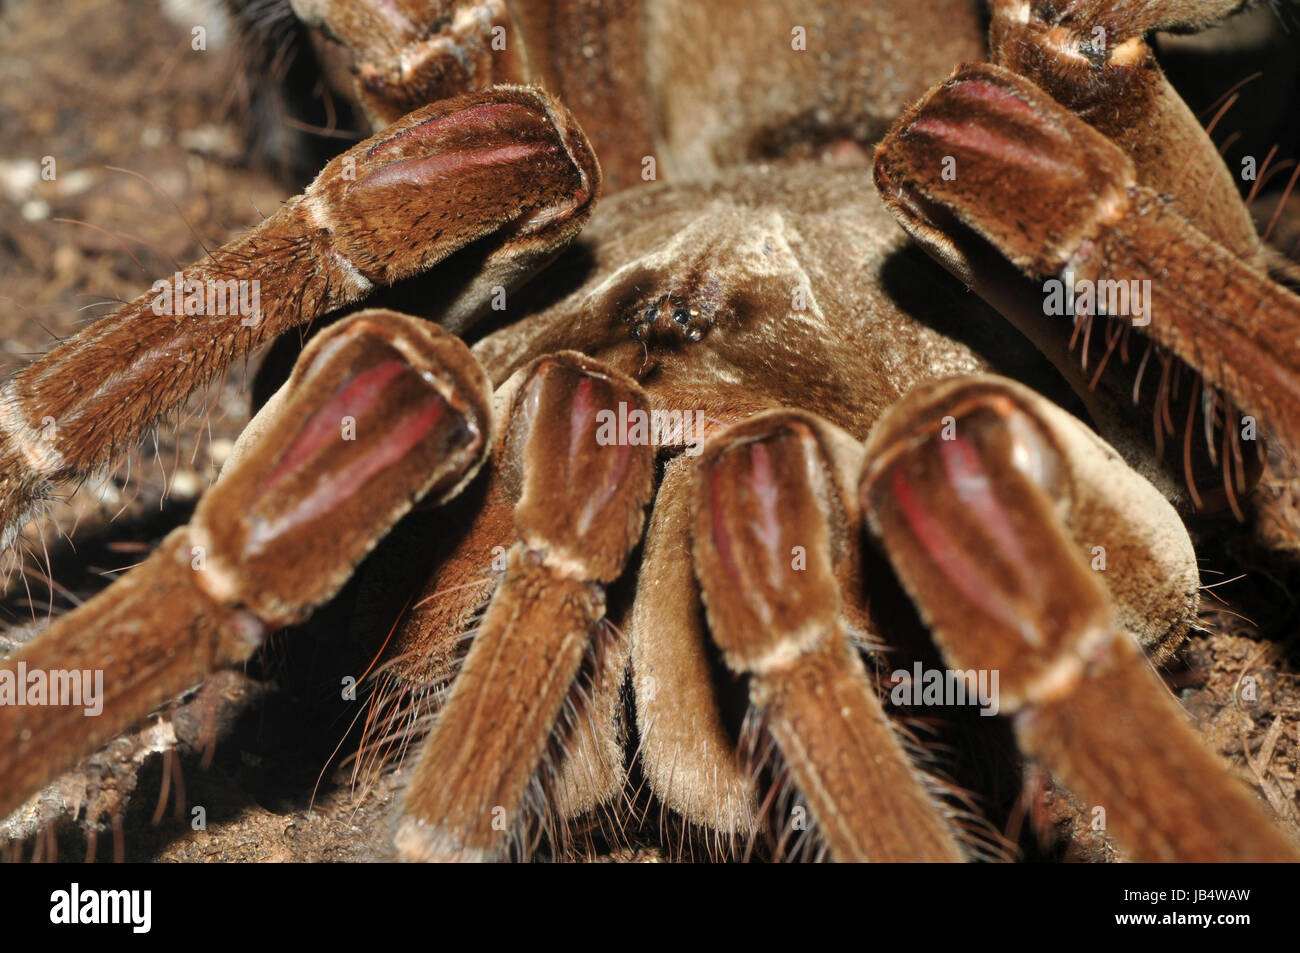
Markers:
point(727, 352)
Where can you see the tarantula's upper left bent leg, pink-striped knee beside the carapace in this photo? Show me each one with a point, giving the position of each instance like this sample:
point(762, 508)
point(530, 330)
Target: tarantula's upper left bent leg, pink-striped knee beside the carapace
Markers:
point(508, 163)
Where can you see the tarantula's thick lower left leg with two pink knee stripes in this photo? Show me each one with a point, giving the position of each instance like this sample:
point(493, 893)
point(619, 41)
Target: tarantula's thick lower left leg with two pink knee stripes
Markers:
point(380, 410)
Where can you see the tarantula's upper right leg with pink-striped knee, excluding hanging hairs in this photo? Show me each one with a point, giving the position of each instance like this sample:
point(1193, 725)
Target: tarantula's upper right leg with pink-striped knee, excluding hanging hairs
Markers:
point(1063, 202)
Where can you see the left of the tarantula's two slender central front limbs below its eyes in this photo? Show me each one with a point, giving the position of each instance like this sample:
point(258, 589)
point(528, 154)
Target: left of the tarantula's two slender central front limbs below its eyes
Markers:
point(580, 512)
